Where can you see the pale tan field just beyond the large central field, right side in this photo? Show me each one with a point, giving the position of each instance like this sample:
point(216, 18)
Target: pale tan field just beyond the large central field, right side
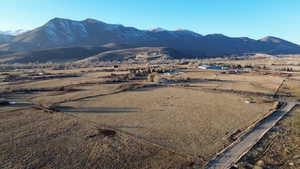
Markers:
point(248, 82)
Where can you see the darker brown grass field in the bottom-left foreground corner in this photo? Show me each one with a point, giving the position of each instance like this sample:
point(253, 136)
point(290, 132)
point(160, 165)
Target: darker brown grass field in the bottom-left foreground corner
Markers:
point(30, 138)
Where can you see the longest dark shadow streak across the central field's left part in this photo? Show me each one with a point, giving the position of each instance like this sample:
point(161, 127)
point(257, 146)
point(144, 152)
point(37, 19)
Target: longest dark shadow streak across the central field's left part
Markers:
point(97, 109)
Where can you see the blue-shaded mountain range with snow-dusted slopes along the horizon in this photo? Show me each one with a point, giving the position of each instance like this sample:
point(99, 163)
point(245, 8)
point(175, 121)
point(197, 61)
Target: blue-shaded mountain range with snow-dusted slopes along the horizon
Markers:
point(61, 34)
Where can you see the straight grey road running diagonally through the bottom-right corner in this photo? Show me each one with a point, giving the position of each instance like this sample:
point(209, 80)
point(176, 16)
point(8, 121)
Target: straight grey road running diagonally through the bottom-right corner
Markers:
point(234, 152)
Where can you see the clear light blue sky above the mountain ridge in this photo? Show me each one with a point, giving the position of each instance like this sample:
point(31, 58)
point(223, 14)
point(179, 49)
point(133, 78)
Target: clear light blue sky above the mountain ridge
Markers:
point(235, 18)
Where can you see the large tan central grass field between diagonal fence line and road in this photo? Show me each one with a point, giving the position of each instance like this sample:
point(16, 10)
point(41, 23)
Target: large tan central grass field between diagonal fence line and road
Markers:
point(188, 121)
